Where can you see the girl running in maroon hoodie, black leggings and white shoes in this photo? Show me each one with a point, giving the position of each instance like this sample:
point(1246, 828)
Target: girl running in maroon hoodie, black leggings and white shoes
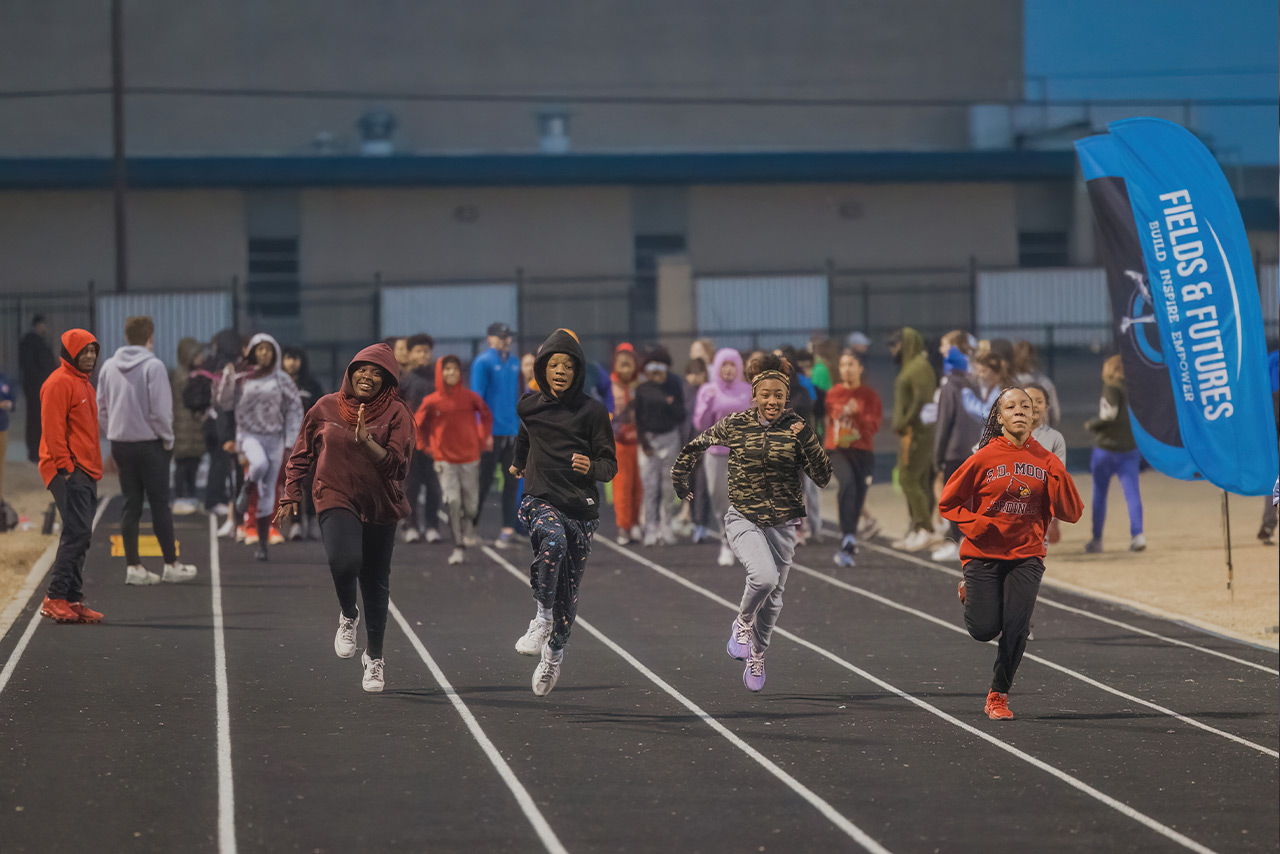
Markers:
point(358, 445)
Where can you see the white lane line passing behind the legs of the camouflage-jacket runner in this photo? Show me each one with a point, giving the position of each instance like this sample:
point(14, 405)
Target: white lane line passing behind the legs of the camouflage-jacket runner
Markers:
point(1076, 783)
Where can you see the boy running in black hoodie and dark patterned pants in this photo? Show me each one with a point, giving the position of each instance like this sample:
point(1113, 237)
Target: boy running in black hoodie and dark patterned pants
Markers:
point(565, 446)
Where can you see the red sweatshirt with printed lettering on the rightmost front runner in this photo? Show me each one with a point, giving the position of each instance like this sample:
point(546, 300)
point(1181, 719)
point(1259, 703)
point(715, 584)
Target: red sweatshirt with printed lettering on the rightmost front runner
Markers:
point(1003, 497)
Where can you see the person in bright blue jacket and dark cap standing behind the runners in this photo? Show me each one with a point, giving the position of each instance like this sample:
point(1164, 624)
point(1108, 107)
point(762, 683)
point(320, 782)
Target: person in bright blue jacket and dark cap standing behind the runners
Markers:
point(496, 378)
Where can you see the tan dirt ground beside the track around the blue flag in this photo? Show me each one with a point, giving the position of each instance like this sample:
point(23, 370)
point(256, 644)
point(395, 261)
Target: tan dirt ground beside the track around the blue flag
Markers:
point(1183, 572)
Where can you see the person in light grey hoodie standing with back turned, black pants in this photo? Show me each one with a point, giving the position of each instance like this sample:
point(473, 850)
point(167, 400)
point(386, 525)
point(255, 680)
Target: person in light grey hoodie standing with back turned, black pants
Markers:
point(135, 408)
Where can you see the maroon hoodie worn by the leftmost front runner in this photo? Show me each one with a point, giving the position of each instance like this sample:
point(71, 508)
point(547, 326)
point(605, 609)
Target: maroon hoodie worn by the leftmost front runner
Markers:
point(345, 474)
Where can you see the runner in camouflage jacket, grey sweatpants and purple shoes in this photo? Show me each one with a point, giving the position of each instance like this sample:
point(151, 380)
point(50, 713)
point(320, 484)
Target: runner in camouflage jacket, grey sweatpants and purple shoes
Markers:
point(769, 446)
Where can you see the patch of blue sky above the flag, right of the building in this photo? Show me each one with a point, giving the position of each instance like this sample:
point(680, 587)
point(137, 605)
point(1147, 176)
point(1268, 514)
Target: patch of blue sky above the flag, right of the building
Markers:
point(1165, 49)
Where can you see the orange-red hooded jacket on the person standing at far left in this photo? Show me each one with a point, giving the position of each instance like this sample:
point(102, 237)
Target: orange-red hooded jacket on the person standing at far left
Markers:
point(68, 415)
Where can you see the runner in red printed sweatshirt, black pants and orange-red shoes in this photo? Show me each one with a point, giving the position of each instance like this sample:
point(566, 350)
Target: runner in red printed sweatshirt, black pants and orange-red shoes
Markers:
point(1003, 499)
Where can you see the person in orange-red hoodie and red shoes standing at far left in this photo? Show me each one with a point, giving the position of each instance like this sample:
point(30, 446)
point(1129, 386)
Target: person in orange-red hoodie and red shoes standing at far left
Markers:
point(71, 464)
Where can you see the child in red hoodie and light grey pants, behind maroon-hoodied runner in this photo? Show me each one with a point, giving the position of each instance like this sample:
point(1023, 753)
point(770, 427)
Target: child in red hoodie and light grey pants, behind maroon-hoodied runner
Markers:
point(455, 426)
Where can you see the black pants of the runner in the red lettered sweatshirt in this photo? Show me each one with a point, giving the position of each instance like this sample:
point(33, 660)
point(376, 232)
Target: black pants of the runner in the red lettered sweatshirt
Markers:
point(999, 600)
